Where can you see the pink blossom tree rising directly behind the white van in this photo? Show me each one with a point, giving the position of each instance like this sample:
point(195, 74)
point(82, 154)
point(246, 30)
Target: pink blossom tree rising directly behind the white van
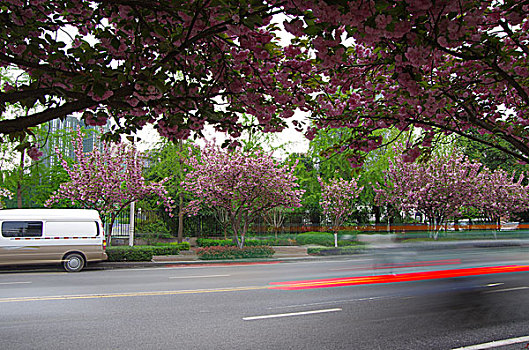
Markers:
point(107, 180)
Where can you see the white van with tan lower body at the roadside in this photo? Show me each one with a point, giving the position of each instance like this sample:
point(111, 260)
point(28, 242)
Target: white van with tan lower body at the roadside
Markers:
point(72, 237)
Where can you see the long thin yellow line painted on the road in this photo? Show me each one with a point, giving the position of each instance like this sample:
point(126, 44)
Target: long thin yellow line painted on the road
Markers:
point(132, 294)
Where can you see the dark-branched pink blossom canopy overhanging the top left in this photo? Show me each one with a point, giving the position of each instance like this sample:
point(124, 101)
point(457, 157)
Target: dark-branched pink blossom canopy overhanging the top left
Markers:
point(163, 62)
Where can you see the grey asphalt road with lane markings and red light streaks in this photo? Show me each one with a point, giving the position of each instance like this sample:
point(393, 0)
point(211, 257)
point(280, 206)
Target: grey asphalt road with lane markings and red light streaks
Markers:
point(291, 305)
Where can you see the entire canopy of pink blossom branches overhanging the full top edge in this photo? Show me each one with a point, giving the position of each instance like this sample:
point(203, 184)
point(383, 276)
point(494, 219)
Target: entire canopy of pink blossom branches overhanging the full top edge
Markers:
point(451, 66)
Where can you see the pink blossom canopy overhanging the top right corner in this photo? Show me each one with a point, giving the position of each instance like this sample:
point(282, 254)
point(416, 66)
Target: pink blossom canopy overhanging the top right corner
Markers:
point(445, 66)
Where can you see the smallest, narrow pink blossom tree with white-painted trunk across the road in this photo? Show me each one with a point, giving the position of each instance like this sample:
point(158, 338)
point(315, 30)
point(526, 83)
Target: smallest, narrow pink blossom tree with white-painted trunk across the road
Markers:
point(338, 198)
